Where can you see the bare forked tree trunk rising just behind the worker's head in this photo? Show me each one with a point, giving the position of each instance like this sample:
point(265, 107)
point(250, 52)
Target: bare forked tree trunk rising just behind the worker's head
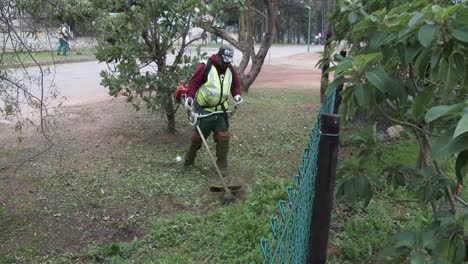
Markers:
point(246, 40)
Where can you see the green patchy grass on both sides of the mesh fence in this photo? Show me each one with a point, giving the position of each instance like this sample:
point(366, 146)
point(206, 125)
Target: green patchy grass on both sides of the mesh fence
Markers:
point(136, 182)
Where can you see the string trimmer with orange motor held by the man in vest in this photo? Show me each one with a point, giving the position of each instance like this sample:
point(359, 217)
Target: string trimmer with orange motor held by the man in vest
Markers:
point(179, 95)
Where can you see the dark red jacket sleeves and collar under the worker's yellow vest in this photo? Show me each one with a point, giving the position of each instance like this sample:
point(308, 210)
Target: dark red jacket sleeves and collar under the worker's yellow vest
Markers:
point(196, 80)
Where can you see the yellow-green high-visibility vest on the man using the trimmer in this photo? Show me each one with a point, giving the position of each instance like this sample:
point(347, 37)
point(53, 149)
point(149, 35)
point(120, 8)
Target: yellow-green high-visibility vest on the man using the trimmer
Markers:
point(211, 94)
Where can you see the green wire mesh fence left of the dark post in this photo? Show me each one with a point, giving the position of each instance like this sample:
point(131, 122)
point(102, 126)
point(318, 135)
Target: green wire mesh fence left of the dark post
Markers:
point(290, 228)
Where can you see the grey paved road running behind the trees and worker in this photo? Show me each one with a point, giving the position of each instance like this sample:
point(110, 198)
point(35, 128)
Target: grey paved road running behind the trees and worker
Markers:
point(79, 82)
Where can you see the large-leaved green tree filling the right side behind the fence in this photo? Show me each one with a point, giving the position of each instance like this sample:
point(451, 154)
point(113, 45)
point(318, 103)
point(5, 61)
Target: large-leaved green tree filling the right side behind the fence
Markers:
point(408, 63)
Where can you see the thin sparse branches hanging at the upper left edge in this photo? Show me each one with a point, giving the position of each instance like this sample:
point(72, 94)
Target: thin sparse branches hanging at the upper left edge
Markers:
point(19, 86)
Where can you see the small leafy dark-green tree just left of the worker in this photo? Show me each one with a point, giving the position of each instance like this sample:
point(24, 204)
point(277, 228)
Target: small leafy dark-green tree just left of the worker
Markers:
point(140, 39)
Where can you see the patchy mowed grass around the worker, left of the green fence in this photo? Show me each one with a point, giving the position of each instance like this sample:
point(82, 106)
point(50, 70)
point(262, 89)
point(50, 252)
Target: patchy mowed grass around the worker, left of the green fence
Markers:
point(121, 182)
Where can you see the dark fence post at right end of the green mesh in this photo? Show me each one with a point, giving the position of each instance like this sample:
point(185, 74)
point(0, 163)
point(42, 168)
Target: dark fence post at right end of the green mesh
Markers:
point(324, 189)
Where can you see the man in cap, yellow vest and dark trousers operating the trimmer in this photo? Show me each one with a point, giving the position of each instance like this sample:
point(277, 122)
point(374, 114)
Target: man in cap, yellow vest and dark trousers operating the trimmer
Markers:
point(208, 91)
